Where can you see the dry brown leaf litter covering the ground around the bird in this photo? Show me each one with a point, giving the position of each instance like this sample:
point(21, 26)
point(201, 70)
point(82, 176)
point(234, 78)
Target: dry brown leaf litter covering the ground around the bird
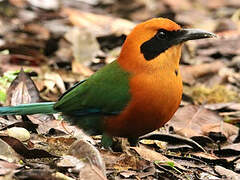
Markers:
point(48, 40)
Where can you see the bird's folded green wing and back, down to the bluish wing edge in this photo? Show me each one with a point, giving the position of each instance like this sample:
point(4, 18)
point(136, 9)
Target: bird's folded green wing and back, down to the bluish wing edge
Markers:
point(107, 90)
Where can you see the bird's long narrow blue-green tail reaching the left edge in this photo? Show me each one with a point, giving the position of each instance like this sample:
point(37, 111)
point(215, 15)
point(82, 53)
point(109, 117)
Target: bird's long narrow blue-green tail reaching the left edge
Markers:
point(27, 109)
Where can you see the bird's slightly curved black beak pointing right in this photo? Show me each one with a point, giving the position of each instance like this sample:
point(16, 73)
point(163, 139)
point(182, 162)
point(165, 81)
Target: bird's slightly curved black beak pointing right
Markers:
point(191, 34)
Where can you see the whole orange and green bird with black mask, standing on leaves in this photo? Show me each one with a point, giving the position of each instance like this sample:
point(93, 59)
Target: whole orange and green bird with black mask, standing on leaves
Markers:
point(135, 94)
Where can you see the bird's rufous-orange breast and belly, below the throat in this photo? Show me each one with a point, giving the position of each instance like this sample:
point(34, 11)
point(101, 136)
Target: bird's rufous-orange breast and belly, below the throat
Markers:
point(153, 103)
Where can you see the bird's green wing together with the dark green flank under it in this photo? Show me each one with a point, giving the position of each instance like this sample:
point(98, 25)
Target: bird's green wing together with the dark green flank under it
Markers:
point(104, 93)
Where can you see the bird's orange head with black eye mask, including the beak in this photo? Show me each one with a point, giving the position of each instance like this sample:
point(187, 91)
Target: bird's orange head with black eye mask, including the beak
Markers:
point(157, 41)
